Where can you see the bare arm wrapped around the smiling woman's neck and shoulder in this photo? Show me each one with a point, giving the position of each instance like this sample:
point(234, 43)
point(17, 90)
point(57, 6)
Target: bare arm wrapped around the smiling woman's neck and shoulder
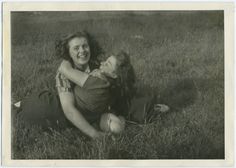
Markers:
point(74, 75)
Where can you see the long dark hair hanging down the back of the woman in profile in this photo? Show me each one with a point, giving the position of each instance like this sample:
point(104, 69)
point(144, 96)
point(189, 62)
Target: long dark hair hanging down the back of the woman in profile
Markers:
point(125, 88)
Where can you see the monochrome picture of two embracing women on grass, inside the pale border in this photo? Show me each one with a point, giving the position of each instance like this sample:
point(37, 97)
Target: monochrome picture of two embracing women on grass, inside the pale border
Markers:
point(117, 84)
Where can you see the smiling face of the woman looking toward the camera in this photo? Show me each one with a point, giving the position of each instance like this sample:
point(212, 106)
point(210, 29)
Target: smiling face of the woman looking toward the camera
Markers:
point(79, 51)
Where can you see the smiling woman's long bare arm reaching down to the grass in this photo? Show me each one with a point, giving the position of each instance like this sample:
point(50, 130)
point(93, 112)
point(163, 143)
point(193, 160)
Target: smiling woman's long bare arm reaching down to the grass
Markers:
point(73, 115)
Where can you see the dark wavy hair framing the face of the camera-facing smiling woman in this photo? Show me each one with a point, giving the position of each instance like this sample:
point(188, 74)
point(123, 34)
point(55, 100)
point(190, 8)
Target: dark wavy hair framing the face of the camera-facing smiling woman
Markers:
point(62, 48)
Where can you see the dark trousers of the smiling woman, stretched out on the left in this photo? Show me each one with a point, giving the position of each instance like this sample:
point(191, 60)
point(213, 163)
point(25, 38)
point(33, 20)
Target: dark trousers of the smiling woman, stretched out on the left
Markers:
point(44, 109)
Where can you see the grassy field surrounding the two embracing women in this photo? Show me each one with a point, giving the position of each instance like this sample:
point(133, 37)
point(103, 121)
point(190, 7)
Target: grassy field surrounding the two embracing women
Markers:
point(177, 55)
